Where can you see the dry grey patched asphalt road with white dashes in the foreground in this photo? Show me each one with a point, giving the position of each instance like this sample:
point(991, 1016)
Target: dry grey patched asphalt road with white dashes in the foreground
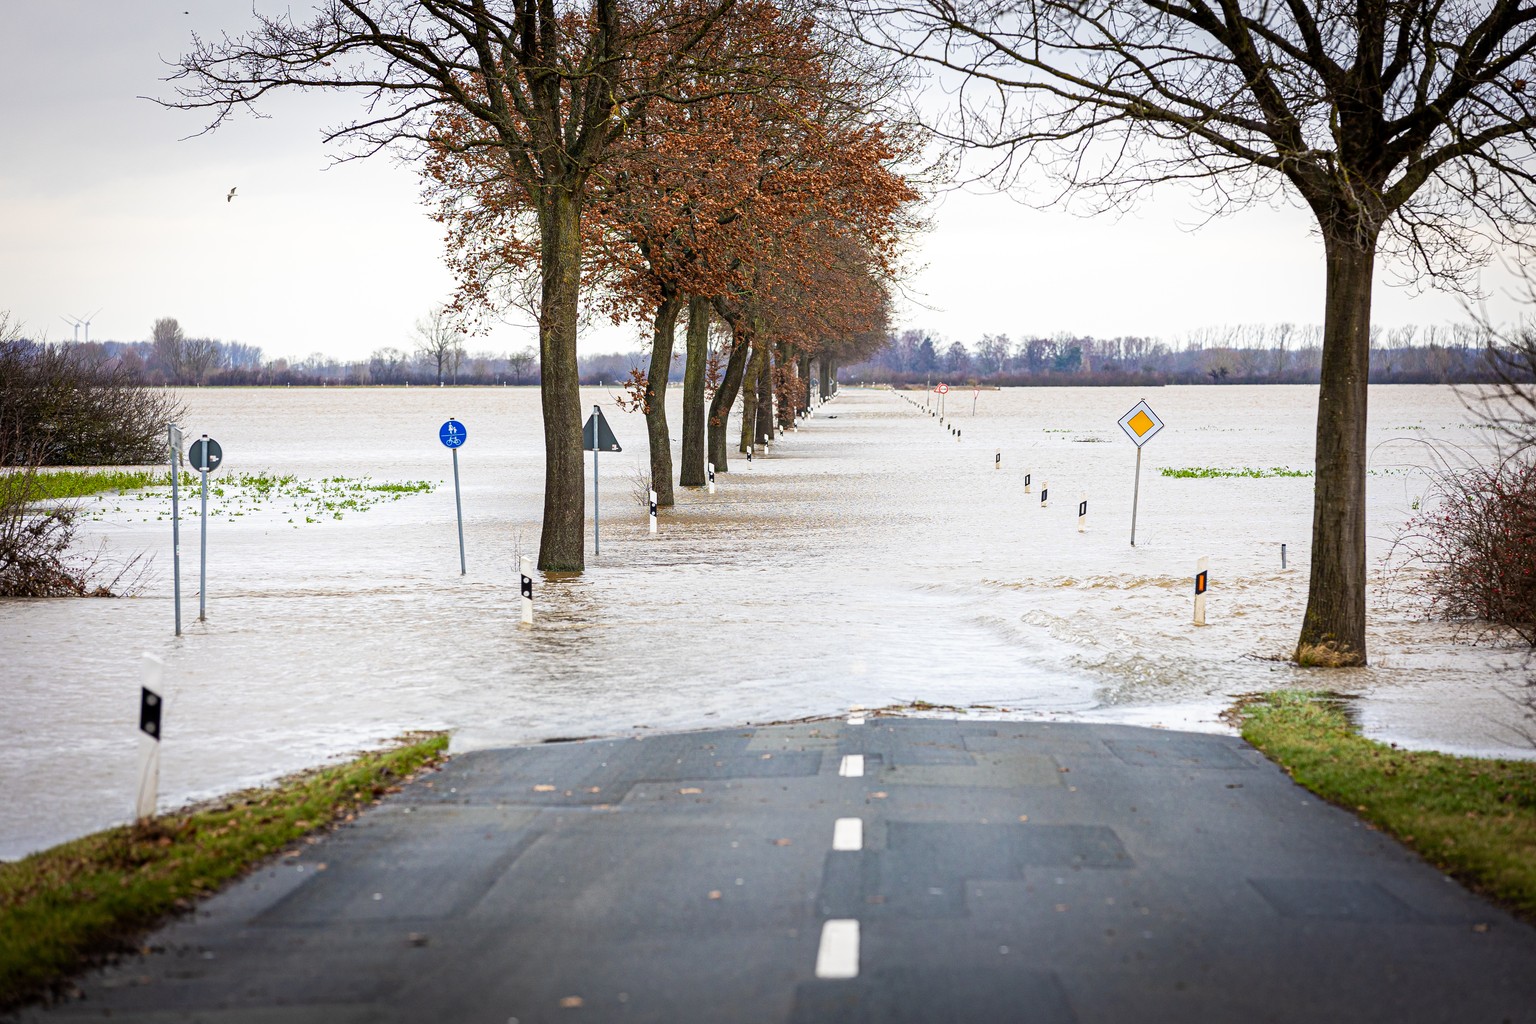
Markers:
point(862, 871)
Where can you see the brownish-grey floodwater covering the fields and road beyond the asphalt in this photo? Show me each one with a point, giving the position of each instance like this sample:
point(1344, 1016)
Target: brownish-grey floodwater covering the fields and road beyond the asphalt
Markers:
point(870, 560)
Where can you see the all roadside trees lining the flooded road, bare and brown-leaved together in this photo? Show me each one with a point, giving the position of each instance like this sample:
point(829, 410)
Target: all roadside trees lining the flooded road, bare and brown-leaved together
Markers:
point(738, 160)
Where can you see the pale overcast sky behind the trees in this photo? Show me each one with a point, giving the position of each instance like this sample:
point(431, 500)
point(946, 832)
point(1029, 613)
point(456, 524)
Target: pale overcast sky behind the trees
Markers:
point(107, 205)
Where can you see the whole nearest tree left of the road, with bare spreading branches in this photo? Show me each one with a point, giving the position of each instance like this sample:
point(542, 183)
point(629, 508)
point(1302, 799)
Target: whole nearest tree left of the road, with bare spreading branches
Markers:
point(541, 90)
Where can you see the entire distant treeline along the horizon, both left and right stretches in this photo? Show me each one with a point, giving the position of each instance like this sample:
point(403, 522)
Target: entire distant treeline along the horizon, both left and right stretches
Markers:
point(1251, 354)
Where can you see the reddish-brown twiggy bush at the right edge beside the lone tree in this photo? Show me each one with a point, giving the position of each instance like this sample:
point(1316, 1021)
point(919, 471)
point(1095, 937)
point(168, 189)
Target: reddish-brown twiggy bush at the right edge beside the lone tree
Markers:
point(1478, 540)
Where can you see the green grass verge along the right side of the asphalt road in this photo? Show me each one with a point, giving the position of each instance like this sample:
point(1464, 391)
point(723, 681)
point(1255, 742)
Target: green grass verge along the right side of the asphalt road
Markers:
point(1475, 819)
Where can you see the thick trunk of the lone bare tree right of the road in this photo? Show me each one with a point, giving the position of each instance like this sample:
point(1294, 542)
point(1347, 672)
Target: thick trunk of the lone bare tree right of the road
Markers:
point(1334, 627)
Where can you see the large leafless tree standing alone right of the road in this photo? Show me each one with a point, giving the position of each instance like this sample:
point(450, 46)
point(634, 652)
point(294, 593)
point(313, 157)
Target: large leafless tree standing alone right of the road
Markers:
point(1403, 125)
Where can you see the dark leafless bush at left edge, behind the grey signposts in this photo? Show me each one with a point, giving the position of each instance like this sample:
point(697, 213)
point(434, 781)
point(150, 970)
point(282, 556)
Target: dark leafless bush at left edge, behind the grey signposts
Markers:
point(59, 406)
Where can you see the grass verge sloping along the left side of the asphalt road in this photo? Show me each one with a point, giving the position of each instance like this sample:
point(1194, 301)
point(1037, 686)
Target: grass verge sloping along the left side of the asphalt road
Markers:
point(65, 908)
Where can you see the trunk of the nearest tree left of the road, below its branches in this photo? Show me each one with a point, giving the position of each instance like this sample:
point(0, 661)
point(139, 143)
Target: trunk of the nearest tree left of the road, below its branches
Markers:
point(564, 498)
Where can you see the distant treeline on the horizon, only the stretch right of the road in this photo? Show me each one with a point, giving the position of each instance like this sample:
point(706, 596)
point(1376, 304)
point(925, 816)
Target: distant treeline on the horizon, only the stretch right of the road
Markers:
point(1246, 354)
